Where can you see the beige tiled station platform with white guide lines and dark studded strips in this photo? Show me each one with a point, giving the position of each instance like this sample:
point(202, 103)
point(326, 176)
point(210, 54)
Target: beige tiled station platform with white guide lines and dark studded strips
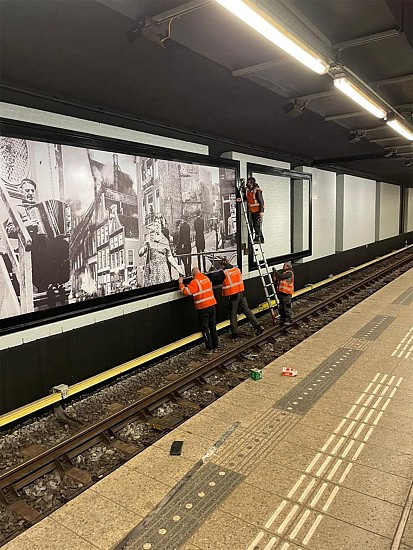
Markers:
point(323, 460)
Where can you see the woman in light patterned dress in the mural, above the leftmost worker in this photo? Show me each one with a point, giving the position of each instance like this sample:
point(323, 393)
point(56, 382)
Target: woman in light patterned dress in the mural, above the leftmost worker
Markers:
point(158, 253)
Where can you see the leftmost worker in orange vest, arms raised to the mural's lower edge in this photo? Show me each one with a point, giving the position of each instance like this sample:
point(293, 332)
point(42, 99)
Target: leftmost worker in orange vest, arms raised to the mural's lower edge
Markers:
point(200, 288)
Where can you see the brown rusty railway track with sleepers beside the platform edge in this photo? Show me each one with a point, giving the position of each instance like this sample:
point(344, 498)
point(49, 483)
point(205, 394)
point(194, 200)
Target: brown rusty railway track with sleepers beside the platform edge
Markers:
point(220, 369)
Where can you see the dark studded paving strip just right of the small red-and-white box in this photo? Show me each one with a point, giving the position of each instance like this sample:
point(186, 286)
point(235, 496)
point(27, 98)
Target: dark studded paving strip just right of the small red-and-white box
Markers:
point(305, 394)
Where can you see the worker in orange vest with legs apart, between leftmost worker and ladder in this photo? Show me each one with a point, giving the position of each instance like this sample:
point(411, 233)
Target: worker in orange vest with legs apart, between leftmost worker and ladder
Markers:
point(233, 288)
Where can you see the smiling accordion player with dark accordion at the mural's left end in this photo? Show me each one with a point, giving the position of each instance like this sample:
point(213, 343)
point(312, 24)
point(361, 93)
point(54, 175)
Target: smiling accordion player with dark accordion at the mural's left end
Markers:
point(50, 257)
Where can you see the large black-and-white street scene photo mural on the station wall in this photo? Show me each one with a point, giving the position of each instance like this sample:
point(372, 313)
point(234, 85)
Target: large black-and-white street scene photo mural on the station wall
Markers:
point(77, 223)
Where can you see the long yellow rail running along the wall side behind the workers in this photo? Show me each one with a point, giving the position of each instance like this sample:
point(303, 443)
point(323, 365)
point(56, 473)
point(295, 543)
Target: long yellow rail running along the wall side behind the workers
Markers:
point(43, 402)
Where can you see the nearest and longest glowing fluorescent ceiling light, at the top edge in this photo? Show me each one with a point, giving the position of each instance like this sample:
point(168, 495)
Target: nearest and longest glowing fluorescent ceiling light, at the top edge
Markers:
point(275, 33)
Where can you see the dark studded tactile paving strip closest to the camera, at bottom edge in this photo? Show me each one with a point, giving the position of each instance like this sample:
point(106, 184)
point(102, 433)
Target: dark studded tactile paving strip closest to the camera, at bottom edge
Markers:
point(186, 511)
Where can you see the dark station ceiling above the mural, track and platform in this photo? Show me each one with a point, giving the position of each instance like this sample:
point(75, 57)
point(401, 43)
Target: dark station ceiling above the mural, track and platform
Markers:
point(217, 77)
